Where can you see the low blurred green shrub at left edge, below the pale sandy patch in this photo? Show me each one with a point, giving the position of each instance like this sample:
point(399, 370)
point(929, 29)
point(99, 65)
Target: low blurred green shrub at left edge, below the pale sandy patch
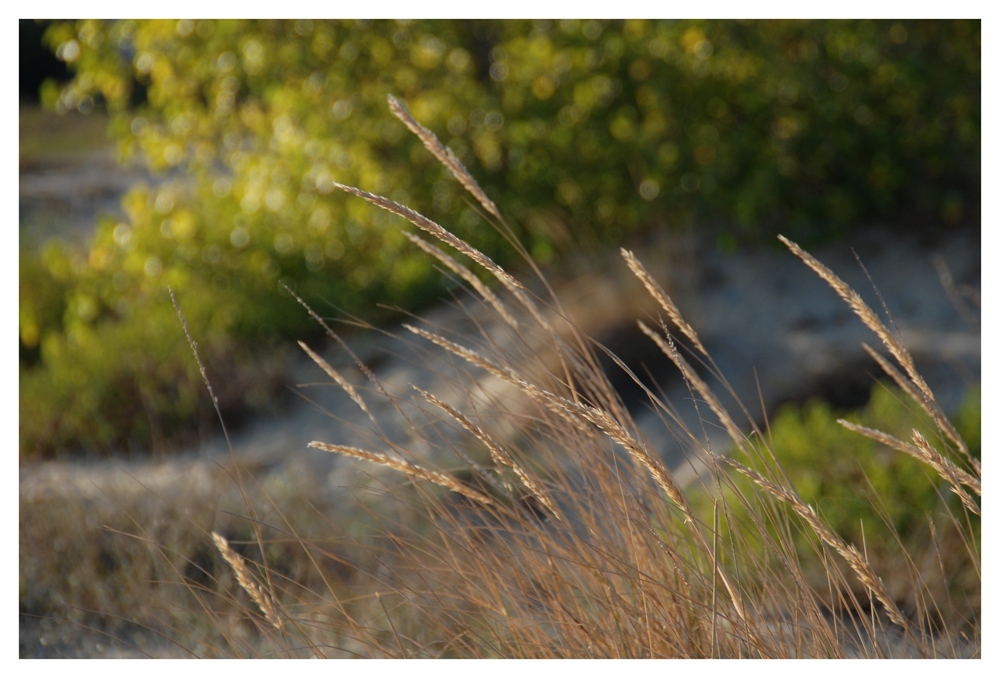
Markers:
point(105, 364)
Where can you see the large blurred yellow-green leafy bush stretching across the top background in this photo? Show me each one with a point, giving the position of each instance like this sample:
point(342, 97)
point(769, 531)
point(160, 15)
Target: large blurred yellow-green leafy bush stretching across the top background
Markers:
point(583, 131)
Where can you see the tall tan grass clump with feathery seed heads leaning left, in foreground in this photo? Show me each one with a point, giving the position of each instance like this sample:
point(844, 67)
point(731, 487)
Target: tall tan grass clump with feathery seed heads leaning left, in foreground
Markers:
point(560, 532)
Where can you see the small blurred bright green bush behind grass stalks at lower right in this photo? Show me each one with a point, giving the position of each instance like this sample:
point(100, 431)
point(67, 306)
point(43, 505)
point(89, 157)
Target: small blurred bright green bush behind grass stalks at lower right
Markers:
point(858, 484)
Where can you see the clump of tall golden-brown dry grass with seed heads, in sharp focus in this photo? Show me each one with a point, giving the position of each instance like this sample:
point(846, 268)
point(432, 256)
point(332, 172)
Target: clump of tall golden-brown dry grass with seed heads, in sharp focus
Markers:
point(590, 548)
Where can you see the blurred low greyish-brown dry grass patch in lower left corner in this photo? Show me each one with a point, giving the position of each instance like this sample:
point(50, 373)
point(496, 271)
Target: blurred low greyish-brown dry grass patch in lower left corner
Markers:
point(128, 558)
